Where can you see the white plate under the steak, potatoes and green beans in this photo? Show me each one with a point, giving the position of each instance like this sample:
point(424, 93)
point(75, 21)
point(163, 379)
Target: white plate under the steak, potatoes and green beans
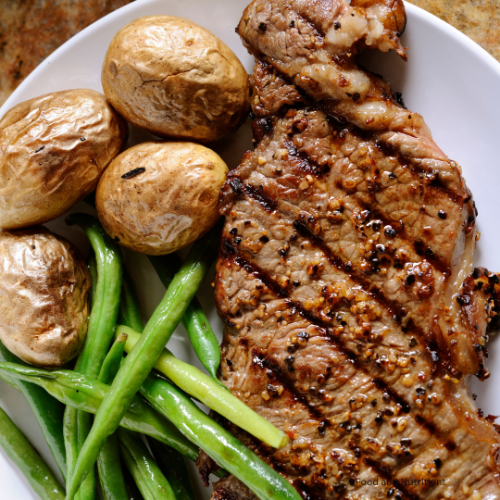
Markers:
point(449, 79)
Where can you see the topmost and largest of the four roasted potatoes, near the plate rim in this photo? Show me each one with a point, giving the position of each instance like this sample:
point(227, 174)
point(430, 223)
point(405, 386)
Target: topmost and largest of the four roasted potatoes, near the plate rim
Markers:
point(175, 79)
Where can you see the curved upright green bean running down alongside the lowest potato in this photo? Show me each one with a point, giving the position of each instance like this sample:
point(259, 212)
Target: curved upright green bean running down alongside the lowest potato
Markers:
point(106, 302)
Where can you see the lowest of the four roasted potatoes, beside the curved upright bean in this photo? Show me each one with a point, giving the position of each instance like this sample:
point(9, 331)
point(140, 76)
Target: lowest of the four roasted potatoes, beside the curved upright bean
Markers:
point(44, 297)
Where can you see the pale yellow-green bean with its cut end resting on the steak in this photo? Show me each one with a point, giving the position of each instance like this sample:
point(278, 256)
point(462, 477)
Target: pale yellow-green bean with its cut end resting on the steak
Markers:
point(204, 388)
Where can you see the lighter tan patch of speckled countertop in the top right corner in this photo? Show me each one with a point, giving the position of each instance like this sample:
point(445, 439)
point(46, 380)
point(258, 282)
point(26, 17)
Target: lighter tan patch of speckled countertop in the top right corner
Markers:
point(478, 19)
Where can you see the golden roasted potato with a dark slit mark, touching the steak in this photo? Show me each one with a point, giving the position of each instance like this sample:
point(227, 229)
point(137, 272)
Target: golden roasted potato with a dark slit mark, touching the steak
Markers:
point(158, 197)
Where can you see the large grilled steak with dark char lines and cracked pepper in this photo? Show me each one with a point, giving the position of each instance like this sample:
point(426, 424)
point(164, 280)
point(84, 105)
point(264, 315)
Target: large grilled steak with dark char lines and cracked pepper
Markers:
point(345, 276)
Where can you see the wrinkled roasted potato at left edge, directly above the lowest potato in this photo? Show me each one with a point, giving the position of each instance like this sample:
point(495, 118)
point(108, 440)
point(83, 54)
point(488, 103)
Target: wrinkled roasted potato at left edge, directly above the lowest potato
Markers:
point(53, 150)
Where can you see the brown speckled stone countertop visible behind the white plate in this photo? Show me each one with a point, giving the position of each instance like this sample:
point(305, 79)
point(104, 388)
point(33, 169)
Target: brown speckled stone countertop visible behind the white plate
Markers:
point(30, 30)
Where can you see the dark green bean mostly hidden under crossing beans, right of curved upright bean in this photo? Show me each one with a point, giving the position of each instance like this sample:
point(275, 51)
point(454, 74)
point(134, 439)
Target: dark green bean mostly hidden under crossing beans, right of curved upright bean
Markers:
point(108, 463)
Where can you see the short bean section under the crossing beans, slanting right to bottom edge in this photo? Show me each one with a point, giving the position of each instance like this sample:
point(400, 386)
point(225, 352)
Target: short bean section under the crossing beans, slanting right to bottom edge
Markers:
point(151, 482)
